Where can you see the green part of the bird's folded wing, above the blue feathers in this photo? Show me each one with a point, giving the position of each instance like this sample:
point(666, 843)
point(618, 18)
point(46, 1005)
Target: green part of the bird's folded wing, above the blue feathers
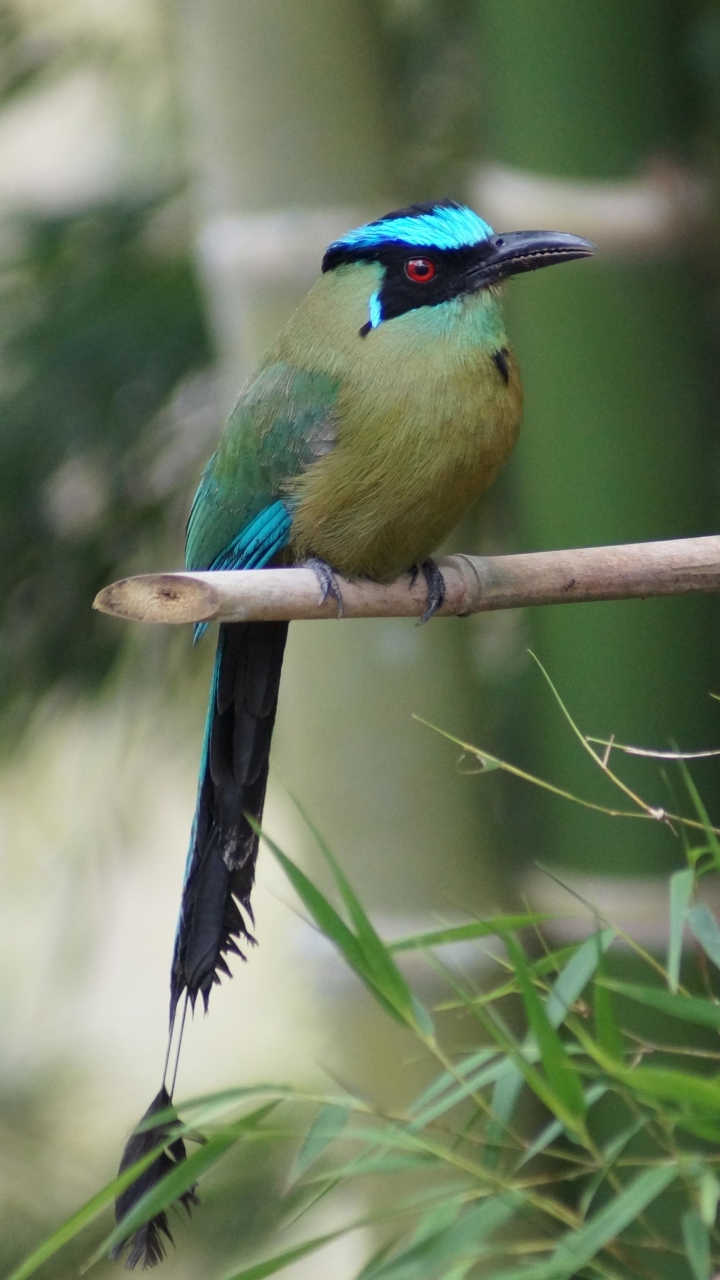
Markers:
point(282, 423)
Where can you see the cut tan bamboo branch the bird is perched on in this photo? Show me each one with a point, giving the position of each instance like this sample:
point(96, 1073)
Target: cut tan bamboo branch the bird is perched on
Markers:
point(473, 584)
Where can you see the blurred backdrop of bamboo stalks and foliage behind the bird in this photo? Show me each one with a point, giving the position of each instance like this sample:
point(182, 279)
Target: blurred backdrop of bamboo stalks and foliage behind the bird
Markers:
point(170, 175)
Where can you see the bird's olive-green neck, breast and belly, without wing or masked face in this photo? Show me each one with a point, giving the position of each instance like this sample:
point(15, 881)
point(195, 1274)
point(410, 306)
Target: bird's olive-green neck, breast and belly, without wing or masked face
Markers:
point(426, 419)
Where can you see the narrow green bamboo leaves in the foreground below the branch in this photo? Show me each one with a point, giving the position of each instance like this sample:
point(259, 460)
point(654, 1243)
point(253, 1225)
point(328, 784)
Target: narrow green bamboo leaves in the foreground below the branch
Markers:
point(612, 1173)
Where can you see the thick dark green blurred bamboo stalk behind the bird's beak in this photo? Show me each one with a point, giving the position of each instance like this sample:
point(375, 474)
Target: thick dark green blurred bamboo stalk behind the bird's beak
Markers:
point(618, 442)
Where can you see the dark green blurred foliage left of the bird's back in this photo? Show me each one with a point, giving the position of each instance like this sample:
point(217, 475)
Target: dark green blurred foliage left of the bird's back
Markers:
point(97, 331)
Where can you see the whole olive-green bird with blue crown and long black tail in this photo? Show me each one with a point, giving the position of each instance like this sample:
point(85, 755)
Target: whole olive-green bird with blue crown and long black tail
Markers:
point(385, 408)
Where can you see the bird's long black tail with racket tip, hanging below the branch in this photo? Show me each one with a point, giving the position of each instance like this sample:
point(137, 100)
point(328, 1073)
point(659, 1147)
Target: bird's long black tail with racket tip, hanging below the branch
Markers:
point(216, 909)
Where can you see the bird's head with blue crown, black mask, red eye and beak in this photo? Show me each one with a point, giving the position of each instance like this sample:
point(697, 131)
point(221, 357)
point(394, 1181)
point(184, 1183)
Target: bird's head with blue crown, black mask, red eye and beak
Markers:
point(434, 254)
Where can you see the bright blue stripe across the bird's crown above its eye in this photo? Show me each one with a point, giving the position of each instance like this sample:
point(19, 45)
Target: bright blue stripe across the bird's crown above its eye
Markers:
point(446, 227)
